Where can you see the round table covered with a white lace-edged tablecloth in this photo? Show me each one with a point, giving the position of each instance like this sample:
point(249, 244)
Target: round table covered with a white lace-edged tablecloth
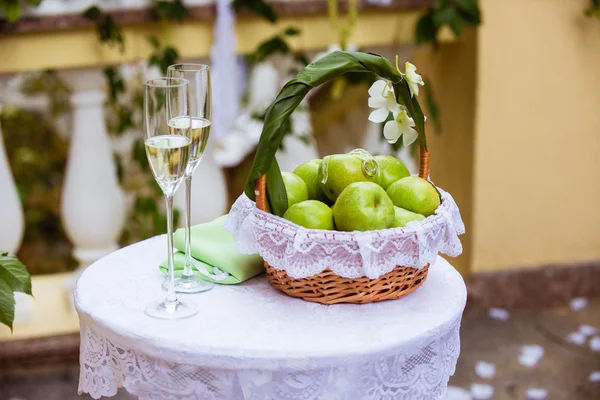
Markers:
point(252, 342)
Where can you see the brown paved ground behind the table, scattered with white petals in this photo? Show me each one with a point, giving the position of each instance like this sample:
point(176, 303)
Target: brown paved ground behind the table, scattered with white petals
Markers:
point(563, 370)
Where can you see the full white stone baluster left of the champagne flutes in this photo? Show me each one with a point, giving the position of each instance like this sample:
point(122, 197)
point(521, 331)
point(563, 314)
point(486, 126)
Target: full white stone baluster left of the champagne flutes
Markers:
point(93, 204)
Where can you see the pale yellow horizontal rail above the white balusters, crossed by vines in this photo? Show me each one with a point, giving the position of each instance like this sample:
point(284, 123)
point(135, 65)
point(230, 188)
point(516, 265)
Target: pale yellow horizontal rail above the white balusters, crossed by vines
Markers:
point(81, 48)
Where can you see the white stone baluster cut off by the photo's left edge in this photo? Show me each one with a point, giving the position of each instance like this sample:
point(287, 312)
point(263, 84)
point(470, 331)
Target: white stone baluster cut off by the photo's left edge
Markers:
point(12, 223)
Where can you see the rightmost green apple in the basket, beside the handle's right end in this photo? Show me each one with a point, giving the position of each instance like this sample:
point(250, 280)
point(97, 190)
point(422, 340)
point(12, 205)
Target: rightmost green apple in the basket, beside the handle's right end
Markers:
point(414, 194)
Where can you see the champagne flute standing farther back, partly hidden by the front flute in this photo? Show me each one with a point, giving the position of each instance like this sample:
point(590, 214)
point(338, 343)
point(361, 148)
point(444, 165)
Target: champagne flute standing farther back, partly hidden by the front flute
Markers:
point(200, 112)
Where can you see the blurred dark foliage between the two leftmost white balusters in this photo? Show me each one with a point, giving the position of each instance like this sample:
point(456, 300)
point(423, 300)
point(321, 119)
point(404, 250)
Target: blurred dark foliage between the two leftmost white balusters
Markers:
point(37, 152)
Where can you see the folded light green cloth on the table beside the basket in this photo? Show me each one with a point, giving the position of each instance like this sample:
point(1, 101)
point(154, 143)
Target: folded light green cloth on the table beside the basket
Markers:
point(214, 257)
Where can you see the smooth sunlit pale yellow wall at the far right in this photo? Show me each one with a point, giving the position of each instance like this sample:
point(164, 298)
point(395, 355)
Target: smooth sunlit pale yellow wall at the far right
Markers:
point(536, 196)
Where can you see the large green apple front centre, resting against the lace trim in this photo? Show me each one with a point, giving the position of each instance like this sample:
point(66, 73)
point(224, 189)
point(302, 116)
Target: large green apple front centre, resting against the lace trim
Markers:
point(363, 206)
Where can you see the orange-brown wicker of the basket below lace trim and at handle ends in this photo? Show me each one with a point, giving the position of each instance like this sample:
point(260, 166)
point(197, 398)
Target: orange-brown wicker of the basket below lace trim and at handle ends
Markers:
point(330, 288)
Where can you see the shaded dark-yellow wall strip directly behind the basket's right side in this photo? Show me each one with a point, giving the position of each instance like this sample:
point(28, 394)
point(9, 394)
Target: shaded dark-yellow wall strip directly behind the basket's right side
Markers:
point(451, 71)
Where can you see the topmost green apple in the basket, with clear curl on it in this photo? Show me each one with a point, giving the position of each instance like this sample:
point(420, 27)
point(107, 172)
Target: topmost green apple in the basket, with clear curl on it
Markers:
point(341, 170)
